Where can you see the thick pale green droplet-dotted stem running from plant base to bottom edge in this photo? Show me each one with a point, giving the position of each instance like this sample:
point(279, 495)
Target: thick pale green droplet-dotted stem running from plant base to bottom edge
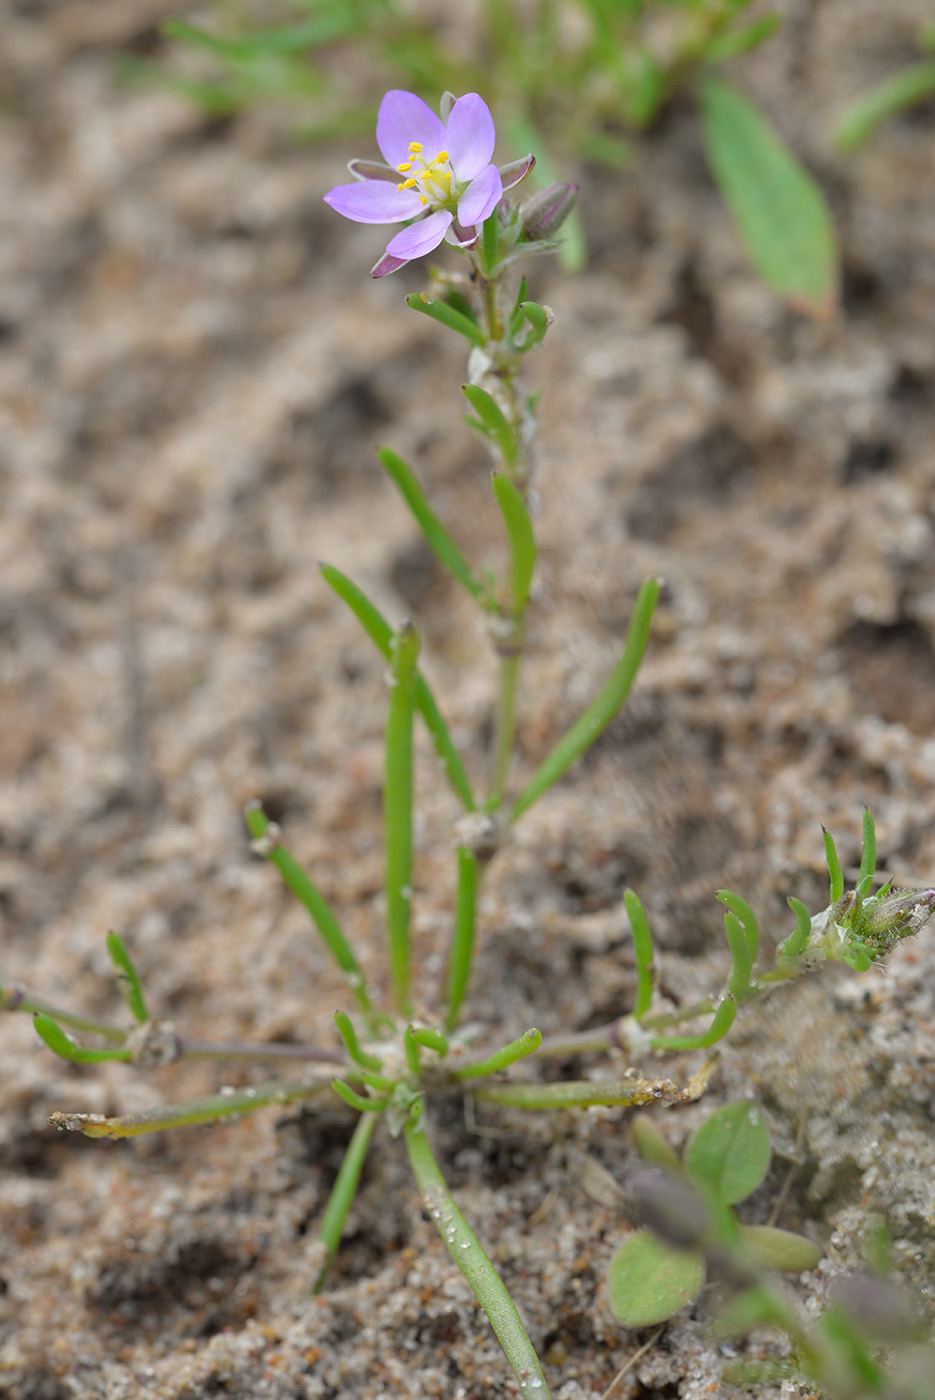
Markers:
point(474, 1263)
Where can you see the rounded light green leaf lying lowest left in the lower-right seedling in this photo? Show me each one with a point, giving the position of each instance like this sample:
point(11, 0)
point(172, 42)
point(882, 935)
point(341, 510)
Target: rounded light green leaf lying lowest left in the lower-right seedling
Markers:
point(649, 1282)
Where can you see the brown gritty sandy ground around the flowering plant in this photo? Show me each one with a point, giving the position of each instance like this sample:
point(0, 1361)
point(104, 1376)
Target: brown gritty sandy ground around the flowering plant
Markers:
point(194, 373)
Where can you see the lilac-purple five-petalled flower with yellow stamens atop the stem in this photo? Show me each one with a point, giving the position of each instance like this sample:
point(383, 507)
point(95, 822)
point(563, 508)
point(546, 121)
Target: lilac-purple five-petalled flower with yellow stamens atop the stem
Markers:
point(439, 173)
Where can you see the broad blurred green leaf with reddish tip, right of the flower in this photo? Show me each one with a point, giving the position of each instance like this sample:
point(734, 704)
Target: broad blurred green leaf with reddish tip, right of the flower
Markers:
point(780, 212)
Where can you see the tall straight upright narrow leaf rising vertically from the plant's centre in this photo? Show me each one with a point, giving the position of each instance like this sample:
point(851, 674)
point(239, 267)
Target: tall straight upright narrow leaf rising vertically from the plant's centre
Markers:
point(398, 807)
